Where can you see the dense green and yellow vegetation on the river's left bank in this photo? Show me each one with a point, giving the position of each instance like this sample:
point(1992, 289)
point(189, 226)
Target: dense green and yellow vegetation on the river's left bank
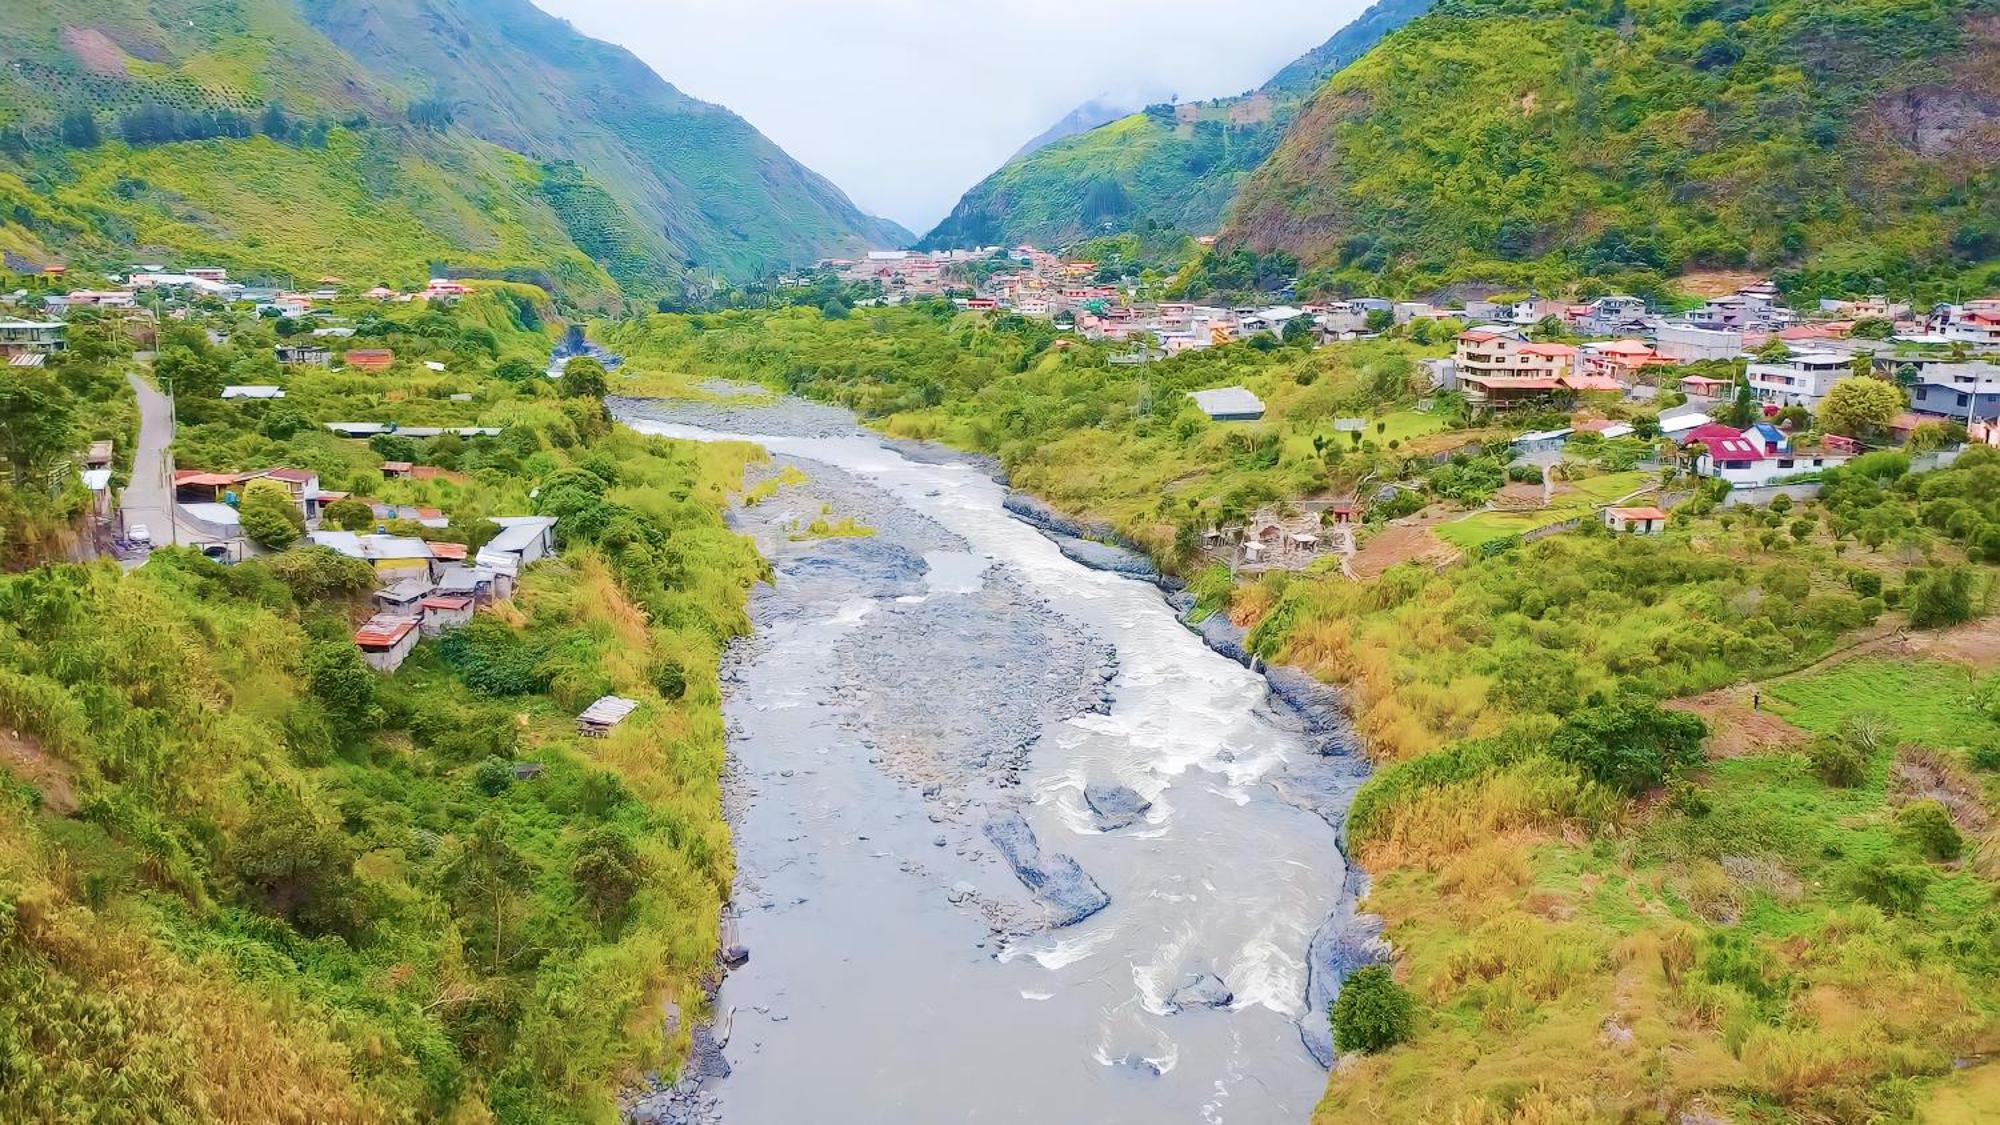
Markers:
point(247, 878)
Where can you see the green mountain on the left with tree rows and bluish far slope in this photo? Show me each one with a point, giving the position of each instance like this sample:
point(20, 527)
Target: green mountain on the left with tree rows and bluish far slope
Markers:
point(375, 141)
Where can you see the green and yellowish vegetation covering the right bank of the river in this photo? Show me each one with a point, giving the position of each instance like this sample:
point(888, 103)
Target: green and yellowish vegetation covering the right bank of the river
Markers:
point(1607, 898)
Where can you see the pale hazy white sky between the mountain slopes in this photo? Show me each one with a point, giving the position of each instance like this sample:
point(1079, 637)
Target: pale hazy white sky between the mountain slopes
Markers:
point(909, 103)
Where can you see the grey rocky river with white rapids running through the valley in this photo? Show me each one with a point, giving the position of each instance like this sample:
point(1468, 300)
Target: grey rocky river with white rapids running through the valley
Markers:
point(943, 926)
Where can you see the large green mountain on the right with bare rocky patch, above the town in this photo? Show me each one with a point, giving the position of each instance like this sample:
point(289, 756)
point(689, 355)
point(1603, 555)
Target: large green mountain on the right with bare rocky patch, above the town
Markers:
point(1845, 145)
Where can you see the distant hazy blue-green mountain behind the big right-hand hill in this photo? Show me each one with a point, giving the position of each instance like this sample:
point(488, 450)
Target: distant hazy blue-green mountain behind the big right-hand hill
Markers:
point(1175, 167)
